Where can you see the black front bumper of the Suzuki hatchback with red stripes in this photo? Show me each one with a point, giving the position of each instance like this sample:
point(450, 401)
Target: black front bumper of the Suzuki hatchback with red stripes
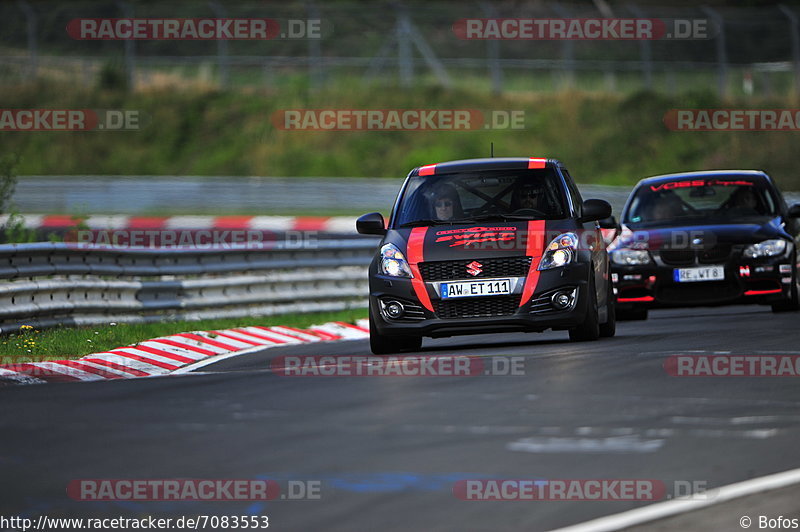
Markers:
point(484, 314)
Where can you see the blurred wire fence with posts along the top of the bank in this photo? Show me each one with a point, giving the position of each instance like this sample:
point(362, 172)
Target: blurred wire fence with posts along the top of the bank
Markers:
point(752, 51)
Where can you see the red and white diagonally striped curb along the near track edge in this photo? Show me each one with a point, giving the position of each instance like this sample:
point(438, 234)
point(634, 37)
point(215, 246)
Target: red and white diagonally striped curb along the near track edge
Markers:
point(168, 354)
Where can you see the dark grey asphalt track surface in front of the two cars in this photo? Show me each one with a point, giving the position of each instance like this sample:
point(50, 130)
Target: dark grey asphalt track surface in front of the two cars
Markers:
point(387, 450)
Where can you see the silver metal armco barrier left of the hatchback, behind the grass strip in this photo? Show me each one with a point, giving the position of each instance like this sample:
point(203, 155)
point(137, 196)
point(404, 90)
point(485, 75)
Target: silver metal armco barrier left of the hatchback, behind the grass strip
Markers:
point(47, 284)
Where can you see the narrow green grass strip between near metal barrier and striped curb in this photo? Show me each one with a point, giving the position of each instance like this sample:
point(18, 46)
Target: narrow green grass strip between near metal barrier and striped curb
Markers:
point(69, 343)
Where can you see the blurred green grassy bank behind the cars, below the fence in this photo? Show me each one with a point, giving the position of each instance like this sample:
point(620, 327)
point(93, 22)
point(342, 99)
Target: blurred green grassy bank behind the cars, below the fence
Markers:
point(613, 139)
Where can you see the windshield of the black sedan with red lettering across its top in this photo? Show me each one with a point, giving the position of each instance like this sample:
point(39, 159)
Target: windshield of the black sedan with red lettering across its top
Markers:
point(725, 199)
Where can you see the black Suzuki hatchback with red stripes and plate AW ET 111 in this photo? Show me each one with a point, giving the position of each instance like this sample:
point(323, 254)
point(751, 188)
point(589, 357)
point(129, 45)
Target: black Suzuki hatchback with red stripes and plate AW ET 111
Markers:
point(488, 246)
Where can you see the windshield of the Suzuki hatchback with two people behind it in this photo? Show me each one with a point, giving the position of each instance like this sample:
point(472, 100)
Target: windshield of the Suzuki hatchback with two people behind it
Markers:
point(483, 195)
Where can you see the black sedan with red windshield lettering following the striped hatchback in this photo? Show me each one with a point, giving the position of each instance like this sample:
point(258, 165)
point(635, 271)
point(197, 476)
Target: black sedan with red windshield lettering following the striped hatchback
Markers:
point(706, 238)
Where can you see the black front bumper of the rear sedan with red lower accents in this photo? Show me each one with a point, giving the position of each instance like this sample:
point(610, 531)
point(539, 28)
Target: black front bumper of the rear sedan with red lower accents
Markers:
point(763, 281)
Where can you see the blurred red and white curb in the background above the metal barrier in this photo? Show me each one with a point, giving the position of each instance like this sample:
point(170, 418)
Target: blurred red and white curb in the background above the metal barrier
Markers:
point(328, 224)
